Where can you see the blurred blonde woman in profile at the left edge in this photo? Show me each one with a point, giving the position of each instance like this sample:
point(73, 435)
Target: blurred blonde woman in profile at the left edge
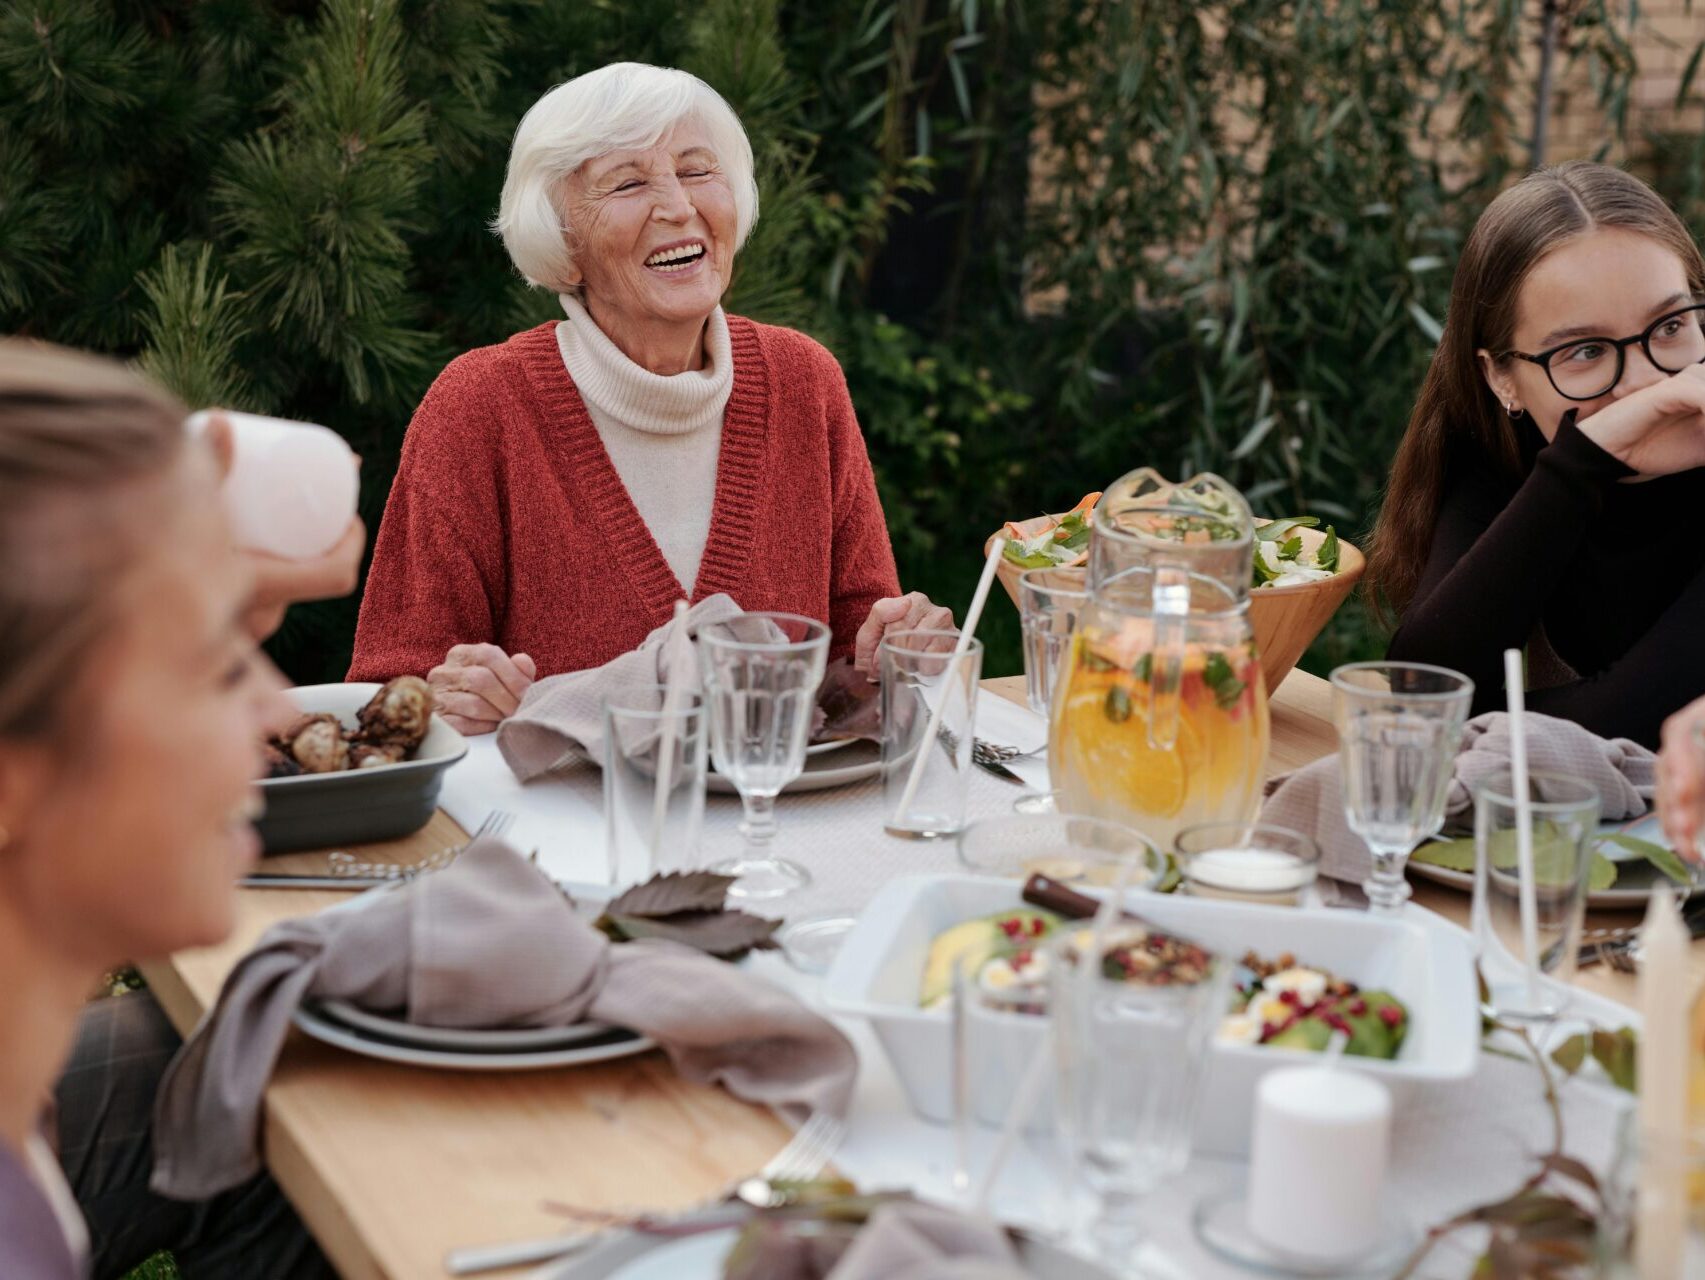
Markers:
point(132, 710)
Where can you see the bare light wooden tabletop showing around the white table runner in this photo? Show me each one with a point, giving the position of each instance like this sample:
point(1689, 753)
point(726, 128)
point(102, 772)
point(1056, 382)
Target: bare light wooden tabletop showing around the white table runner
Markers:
point(391, 1167)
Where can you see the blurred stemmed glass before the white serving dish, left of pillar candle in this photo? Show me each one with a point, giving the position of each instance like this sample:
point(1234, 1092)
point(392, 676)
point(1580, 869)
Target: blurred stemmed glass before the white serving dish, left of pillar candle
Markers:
point(1133, 1018)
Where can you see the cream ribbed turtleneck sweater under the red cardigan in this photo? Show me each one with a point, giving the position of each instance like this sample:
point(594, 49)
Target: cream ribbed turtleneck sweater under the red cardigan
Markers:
point(662, 432)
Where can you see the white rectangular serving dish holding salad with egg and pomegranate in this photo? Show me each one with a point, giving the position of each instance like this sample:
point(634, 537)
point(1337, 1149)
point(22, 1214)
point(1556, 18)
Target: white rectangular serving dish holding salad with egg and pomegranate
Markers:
point(1425, 962)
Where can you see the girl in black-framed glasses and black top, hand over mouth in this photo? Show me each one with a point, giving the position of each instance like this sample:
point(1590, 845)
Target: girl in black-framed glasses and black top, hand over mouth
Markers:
point(1547, 490)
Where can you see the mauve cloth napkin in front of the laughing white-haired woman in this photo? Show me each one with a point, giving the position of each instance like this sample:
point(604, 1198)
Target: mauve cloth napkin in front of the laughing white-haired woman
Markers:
point(562, 718)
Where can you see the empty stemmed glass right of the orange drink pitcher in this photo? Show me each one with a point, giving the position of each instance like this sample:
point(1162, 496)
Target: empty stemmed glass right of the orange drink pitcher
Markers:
point(1399, 730)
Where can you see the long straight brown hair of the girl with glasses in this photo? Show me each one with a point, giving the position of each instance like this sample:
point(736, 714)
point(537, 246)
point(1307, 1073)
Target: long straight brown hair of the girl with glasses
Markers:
point(1457, 415)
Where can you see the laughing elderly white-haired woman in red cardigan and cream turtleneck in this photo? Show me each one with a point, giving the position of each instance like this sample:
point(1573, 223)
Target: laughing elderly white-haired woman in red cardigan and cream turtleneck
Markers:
point(562, 490)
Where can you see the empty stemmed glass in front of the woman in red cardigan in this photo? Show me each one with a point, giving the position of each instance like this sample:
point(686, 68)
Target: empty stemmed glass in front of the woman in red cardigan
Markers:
point(761, 677)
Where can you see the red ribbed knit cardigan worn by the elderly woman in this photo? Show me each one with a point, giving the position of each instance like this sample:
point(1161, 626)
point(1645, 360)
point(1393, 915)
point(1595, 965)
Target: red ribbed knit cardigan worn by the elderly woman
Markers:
point(509, 524)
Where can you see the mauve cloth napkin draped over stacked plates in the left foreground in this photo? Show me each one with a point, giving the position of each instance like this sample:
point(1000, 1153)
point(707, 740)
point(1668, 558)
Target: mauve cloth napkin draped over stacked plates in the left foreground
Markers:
point(487, 943)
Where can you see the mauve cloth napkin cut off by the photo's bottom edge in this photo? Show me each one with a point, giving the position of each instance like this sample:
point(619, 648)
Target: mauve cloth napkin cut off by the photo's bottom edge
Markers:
point(916, 1242)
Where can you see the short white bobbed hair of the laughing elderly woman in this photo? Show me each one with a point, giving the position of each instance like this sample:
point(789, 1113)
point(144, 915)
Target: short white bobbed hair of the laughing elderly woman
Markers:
point(623, 107)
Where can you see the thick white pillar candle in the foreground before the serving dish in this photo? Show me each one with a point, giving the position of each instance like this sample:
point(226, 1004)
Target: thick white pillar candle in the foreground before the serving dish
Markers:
point(1319, 1162)
